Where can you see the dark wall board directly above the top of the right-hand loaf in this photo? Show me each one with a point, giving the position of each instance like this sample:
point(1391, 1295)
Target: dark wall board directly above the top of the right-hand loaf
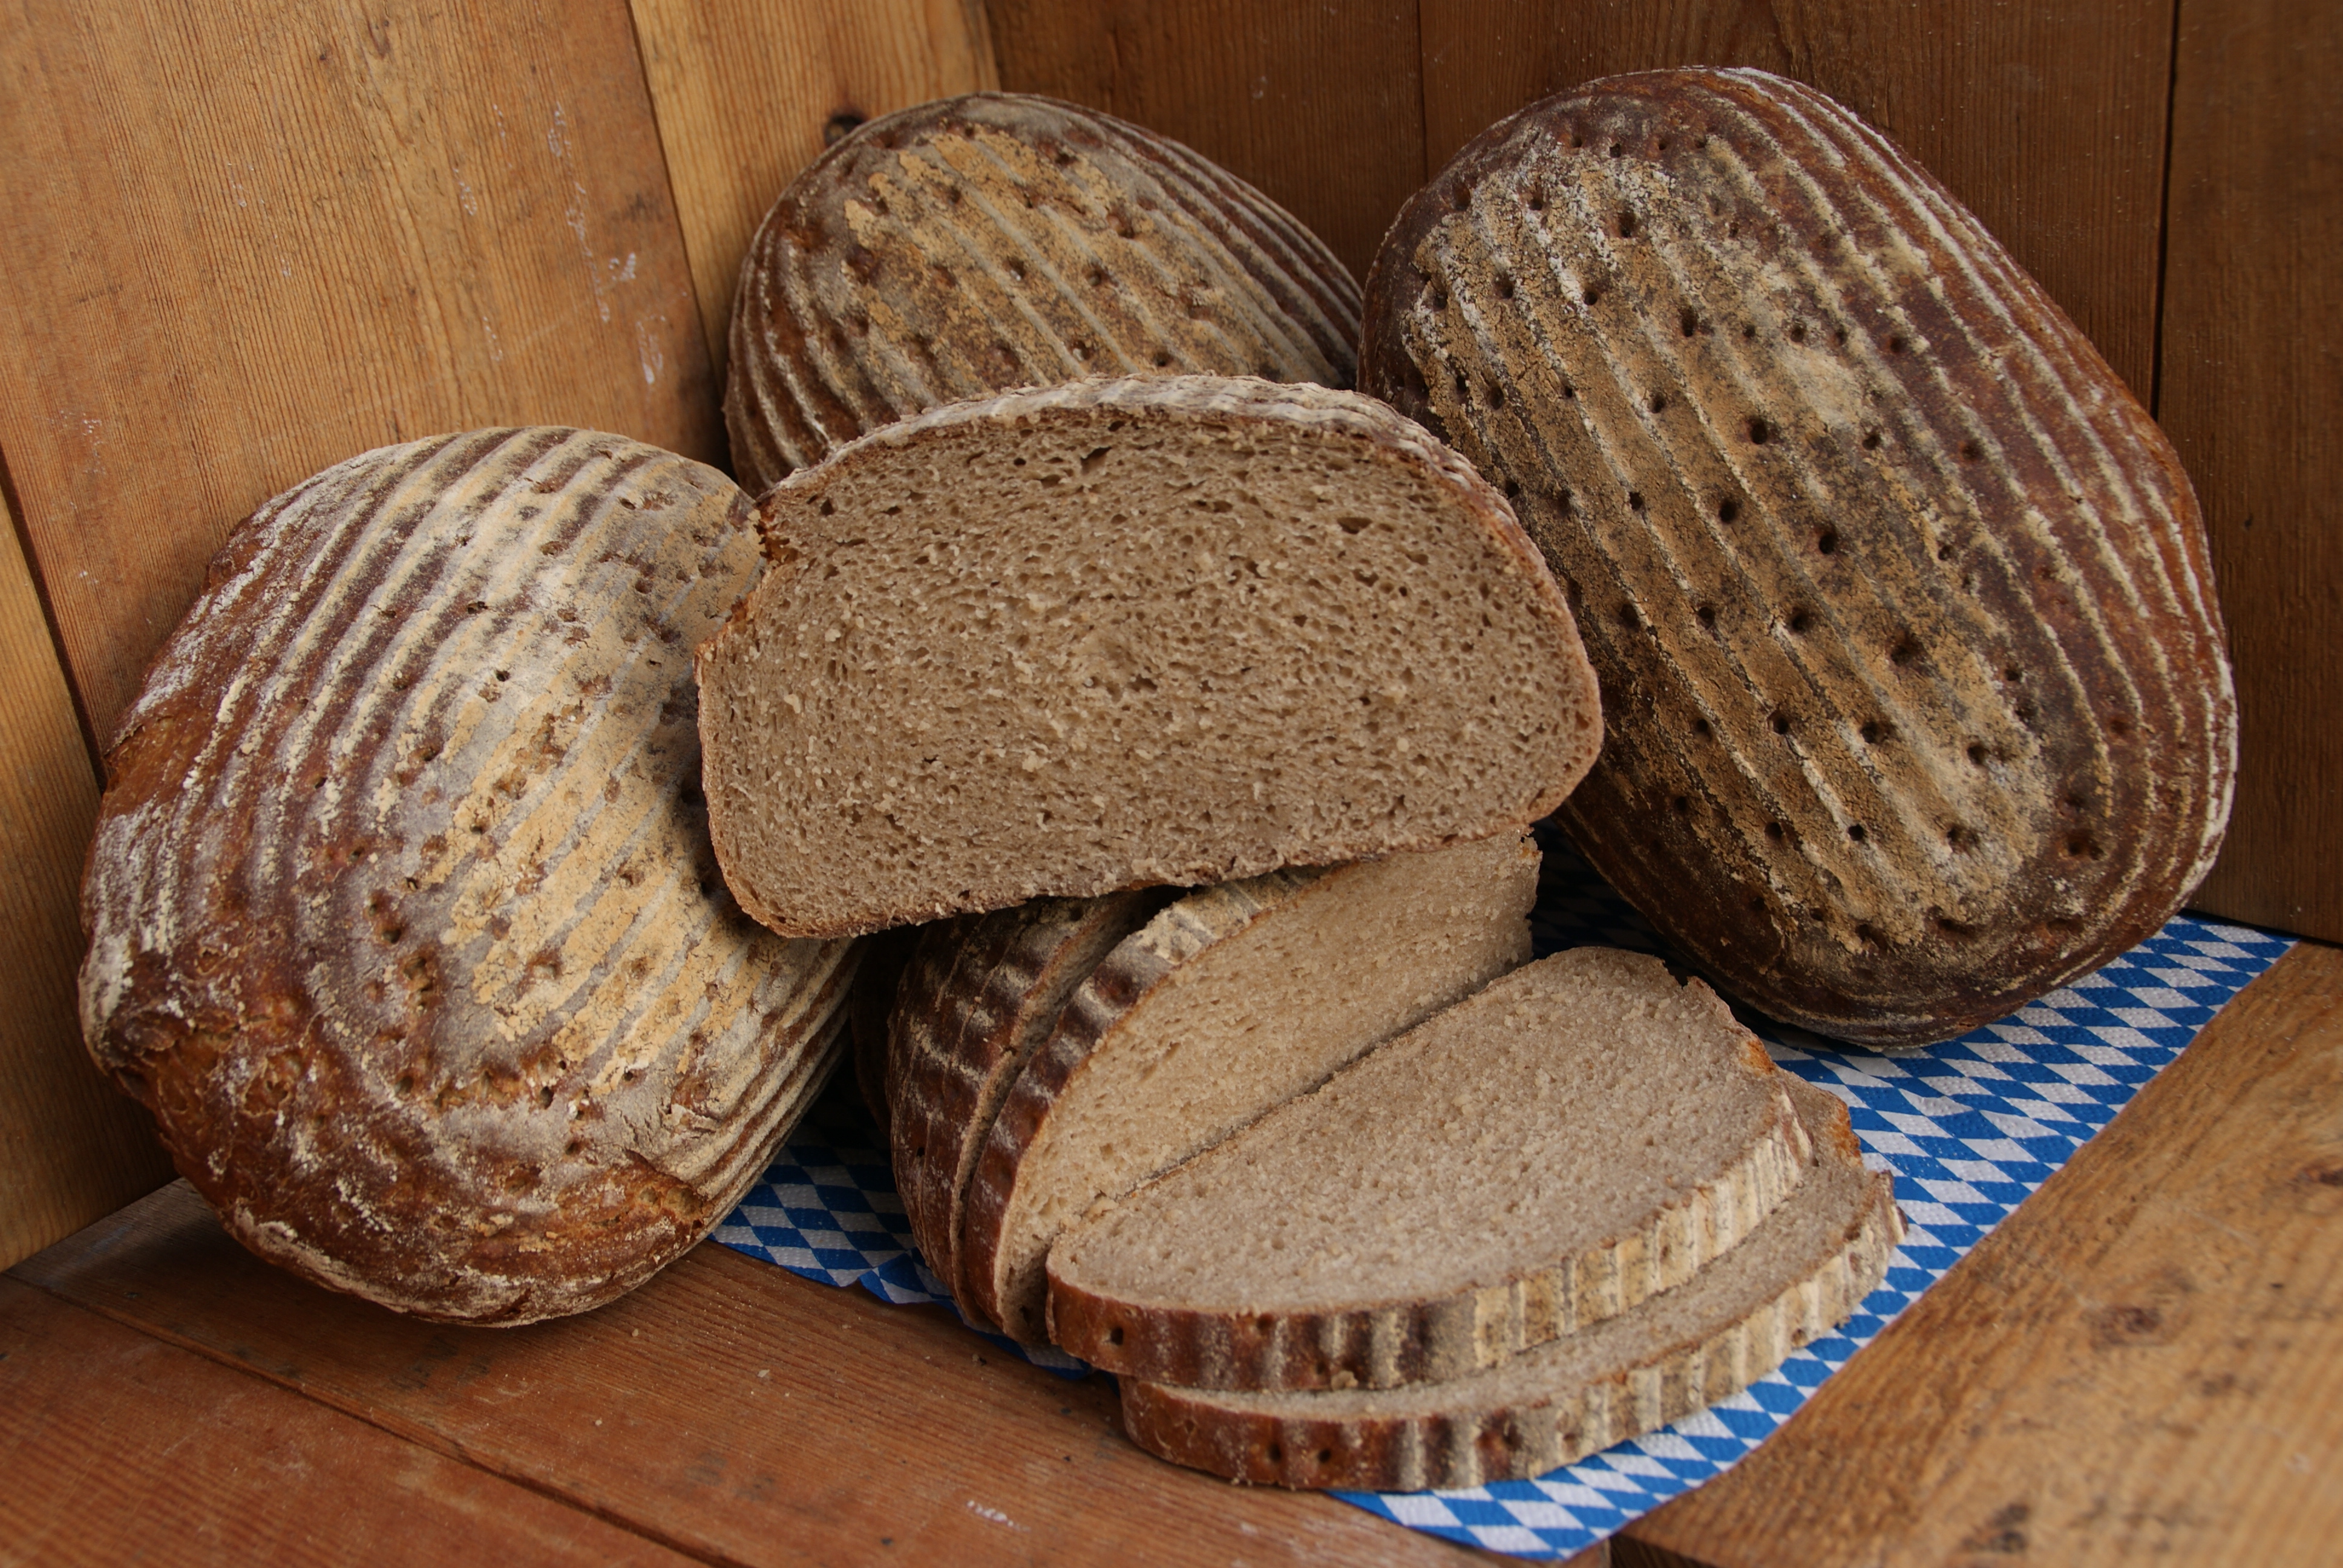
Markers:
point(2047, 121)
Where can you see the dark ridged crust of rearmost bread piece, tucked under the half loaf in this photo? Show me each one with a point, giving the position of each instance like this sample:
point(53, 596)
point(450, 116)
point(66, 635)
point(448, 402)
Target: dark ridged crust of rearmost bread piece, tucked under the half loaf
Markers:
point(978, 997)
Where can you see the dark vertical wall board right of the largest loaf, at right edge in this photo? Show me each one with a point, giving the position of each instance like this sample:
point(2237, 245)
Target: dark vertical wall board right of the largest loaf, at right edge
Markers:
point(2253, 395)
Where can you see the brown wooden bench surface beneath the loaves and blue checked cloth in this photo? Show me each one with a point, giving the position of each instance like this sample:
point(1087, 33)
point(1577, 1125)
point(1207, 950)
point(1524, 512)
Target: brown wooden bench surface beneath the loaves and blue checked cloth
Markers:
point(2145, 1363)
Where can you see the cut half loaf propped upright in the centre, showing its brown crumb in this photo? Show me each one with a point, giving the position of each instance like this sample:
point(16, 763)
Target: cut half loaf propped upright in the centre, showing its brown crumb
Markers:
point(1123, 634)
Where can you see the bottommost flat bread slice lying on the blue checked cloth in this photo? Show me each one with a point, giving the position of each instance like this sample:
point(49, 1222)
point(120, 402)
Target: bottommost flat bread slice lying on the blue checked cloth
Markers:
point(1798, 1276)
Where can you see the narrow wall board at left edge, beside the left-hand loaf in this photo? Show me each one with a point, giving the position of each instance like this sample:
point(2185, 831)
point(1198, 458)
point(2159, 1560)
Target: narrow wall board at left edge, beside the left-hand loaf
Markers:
point(71, 1147)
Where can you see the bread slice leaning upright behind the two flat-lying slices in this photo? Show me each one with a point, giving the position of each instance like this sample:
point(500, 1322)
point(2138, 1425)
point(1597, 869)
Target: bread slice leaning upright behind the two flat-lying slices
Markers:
point(1224, 1007)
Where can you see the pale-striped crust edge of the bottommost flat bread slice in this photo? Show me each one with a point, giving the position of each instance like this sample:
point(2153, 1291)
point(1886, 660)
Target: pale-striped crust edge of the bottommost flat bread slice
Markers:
point(1480, 1443)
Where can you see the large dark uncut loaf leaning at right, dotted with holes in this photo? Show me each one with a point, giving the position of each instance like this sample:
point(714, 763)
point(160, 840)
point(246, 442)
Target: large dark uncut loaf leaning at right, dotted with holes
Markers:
point(1904, 596)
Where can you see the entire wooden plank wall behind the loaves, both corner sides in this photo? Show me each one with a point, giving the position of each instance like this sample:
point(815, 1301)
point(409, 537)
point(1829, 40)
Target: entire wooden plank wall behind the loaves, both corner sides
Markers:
point(252, 240)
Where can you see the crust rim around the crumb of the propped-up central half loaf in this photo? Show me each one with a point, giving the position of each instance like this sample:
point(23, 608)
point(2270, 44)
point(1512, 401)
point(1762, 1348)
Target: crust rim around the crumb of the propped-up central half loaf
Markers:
point(1222, 404)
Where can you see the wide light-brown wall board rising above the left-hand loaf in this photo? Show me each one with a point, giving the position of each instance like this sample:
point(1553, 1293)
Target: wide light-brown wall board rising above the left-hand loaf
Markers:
point(247, 243)
